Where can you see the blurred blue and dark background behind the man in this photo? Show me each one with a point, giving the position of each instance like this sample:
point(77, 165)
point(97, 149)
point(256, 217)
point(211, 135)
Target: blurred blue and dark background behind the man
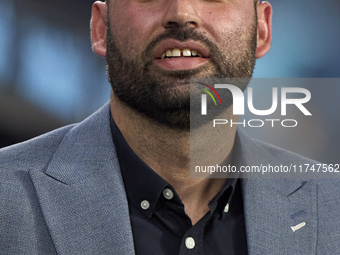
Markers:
point(49, 76)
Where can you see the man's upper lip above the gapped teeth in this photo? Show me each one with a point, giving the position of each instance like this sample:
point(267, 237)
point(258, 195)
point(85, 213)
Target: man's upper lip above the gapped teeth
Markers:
point(170, 44)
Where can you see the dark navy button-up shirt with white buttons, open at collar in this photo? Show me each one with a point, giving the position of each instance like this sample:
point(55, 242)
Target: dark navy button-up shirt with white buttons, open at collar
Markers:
point(159, 222)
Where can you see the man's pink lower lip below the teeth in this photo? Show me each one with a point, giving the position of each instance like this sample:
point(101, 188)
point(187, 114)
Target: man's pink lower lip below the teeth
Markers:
point(181, 63)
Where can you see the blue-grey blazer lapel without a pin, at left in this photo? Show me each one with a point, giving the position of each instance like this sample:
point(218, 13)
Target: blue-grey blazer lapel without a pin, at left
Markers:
point(81, 192)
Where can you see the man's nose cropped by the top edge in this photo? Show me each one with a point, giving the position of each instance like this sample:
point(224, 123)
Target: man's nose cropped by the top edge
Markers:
point(181, 13)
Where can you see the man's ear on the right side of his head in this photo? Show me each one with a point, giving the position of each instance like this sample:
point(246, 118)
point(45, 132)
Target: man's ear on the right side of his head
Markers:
point(264, 28)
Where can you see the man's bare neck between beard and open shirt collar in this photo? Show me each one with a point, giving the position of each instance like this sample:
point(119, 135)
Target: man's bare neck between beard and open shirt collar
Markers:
point(167, 152)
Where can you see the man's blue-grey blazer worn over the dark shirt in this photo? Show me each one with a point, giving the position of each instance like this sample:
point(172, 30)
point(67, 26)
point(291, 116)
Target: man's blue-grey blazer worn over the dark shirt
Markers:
point(62, 193)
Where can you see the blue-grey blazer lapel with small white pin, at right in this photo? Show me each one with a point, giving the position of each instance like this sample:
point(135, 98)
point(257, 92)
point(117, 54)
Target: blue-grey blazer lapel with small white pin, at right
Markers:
point(280, 214)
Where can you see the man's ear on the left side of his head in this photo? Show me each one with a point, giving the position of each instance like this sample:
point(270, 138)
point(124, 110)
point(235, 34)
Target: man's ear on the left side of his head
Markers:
point(98, 28)
